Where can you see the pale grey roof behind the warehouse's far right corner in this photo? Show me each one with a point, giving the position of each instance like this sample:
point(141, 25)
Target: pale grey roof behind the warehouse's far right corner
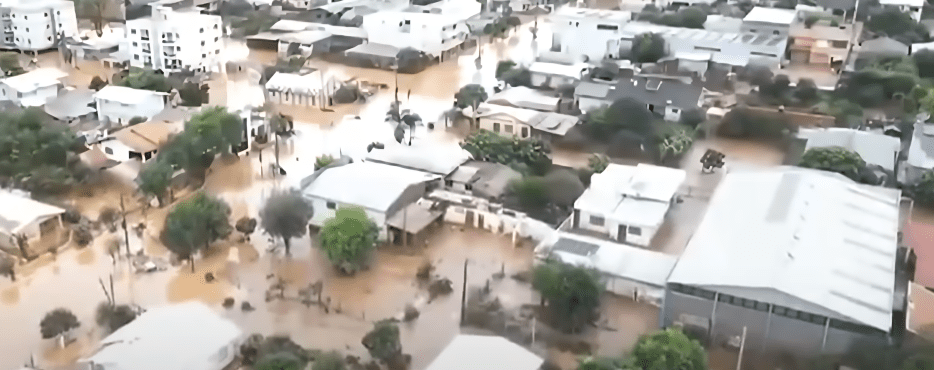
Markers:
point(874, 148)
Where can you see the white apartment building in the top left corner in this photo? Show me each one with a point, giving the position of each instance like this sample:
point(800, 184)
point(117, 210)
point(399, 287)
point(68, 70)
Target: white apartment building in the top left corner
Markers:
point(37, 25)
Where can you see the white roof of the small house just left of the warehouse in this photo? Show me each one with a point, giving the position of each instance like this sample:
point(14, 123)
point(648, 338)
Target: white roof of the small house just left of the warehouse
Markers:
point(634, 195)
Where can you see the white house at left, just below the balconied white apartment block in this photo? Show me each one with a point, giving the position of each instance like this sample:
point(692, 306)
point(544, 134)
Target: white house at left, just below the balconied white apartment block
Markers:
point(118, 104)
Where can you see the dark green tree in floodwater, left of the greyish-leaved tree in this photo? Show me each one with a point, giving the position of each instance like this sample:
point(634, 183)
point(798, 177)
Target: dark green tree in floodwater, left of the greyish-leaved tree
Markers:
point(196, 222)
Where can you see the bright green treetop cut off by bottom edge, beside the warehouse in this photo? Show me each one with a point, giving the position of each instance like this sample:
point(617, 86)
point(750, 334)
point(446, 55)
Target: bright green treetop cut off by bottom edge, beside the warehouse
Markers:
point(668, 349)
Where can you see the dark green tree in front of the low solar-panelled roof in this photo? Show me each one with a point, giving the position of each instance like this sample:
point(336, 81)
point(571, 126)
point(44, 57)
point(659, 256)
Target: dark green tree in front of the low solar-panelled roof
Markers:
point(572, 293)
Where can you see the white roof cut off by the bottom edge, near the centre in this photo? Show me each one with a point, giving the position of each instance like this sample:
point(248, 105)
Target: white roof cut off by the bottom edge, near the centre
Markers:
point(472, 352)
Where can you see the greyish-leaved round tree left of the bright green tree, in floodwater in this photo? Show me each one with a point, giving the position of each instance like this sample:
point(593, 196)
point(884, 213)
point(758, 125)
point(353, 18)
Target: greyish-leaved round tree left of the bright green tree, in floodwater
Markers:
point(286, 215)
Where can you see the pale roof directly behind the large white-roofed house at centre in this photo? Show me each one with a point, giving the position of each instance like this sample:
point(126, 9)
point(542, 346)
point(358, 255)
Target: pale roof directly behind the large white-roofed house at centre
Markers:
point(436, 159)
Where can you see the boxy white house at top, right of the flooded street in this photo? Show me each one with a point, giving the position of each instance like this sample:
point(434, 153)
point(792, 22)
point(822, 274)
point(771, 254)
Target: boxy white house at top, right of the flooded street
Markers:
point(589, 34)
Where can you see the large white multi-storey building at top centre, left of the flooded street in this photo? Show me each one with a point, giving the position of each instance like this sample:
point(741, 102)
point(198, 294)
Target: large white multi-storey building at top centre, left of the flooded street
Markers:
point(434, 34)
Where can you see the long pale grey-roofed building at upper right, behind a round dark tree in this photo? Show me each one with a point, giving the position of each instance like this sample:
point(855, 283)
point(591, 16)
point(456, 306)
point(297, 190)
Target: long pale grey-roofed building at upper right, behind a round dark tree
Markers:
point(732, 49)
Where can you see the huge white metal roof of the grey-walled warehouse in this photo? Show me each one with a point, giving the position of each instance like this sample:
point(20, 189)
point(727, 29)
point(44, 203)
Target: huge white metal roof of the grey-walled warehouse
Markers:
point(810, 240)
